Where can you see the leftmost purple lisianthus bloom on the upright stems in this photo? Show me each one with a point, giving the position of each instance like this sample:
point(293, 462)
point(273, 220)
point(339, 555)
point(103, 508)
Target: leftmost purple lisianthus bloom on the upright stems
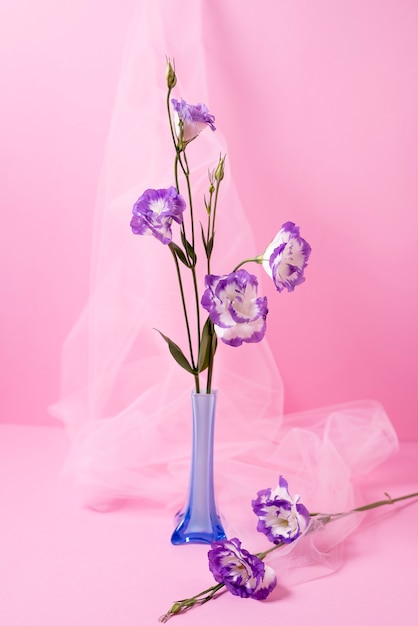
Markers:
point(154, 212)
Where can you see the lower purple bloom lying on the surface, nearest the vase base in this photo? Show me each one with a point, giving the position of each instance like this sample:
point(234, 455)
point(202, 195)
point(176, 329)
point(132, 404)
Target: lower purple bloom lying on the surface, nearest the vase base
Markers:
point(242, 573)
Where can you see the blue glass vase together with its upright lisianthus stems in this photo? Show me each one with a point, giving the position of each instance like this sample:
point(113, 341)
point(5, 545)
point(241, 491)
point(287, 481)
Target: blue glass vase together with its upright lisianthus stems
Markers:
point(236, 312)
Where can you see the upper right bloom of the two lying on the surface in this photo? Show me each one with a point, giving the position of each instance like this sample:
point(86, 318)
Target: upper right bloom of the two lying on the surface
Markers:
point(280, 517)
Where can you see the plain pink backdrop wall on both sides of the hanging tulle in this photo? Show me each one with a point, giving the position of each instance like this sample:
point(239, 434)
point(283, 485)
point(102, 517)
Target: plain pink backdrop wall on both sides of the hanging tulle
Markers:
point(333, 148)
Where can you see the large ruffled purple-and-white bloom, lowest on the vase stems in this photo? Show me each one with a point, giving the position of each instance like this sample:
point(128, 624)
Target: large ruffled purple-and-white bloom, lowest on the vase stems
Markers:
point(234, 308)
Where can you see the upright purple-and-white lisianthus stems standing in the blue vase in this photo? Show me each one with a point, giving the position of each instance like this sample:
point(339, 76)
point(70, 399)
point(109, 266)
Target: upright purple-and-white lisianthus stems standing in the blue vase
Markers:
point(236, 314)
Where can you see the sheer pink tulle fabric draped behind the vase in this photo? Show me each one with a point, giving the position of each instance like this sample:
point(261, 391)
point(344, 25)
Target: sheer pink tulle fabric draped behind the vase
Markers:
point(124, 401)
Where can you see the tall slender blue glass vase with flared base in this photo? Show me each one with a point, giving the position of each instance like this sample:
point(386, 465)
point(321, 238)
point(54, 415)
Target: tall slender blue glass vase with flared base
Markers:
point(199, 522)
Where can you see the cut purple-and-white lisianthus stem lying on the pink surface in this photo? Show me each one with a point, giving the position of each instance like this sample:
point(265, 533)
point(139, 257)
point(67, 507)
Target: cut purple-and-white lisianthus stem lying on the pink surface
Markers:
point(259, 584)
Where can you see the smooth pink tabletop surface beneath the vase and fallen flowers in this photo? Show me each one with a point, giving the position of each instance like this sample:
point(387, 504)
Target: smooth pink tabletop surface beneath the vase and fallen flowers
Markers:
point(61, 564)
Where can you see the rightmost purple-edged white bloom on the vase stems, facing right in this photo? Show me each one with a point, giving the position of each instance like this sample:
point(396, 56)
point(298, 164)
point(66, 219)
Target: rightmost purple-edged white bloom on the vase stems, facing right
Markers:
point(286, 257)
